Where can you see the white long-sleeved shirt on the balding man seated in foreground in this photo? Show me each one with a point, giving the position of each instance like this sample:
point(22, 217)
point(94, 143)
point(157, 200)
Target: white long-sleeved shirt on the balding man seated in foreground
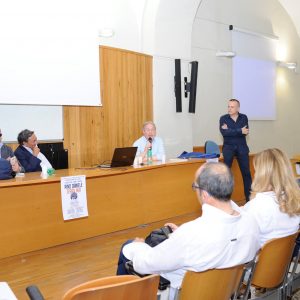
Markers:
point(215, 240)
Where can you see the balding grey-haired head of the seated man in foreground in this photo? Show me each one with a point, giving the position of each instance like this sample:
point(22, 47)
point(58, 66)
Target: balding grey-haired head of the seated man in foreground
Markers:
point(216, 179)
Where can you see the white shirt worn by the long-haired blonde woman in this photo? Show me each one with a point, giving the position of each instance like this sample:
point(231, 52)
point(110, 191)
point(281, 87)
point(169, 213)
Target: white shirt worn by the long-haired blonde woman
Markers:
point(271, 221)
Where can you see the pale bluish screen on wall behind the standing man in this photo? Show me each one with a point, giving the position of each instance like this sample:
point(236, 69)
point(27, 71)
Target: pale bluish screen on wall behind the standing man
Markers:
point(254, 74)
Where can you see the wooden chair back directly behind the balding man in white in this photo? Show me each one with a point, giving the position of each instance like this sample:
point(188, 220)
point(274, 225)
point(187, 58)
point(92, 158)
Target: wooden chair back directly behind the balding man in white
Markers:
point(217, 284)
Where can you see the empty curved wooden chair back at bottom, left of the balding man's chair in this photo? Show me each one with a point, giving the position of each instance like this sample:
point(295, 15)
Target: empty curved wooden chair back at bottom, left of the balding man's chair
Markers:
point(116, 287)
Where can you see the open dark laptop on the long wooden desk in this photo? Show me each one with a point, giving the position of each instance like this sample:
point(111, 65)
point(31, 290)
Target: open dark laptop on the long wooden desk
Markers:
point(122, 157)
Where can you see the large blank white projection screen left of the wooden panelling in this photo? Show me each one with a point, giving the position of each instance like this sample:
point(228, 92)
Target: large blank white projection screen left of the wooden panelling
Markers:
point(49, 53)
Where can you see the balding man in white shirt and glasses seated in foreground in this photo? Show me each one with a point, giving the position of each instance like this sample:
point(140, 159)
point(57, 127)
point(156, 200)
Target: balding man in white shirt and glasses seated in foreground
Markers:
point(222, 237)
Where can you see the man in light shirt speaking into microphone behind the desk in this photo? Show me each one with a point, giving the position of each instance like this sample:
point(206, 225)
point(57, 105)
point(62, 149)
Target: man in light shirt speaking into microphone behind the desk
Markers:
point(149, 139)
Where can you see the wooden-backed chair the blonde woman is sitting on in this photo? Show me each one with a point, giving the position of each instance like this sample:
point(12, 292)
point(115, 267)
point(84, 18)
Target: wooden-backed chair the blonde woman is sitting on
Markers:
point(271, 269)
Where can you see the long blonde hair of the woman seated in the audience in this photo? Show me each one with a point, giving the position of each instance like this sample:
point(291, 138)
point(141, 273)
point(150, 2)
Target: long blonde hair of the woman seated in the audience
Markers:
point(273, 172)
